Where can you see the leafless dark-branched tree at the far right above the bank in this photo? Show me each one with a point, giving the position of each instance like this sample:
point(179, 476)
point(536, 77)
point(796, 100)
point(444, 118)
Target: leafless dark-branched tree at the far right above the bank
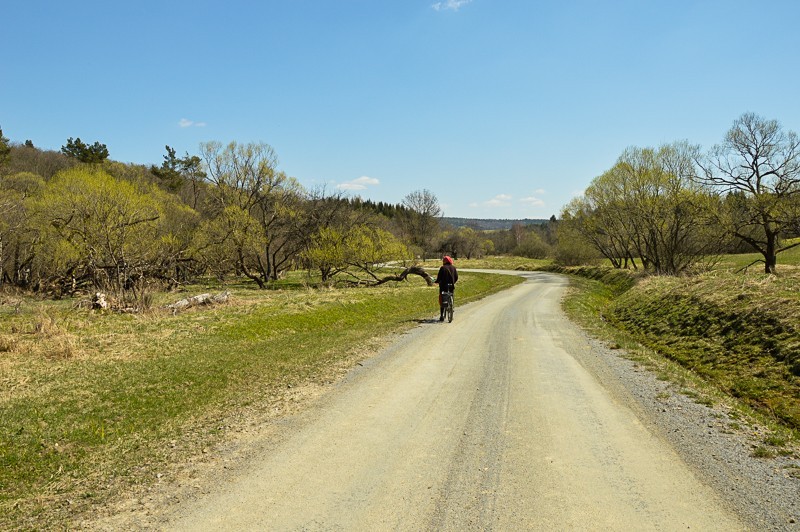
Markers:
point(756, 172)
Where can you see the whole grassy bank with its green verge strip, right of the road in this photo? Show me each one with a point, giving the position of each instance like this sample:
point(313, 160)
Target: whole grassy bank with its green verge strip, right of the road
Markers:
point(734, 332)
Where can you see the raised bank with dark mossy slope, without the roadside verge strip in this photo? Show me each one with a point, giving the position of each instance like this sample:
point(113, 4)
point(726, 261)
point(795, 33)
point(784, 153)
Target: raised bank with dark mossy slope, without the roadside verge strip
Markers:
point(737, 331)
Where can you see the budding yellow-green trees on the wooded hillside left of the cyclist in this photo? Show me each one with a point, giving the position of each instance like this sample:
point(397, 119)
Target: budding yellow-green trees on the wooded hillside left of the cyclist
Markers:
point(76, 220)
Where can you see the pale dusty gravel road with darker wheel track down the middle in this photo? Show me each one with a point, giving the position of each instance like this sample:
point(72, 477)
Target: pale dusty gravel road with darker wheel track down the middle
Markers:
point(485, 423)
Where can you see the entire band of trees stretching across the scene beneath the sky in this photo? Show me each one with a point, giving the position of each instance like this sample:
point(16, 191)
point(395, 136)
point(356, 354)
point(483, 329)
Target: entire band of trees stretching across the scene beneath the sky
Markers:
point(74, 219)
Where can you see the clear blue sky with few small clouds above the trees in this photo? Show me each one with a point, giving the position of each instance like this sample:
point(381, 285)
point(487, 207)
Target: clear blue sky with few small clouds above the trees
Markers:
point(502, 108)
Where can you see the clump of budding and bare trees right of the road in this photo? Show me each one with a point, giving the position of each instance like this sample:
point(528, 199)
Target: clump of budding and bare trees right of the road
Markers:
point(675, 208)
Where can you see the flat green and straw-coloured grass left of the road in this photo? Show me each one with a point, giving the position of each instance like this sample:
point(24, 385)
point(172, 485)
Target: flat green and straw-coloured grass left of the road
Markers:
point(92, 403)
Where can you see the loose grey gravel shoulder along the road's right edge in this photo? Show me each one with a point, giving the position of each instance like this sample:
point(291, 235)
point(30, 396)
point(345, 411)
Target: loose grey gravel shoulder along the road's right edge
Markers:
point(712, 439)
